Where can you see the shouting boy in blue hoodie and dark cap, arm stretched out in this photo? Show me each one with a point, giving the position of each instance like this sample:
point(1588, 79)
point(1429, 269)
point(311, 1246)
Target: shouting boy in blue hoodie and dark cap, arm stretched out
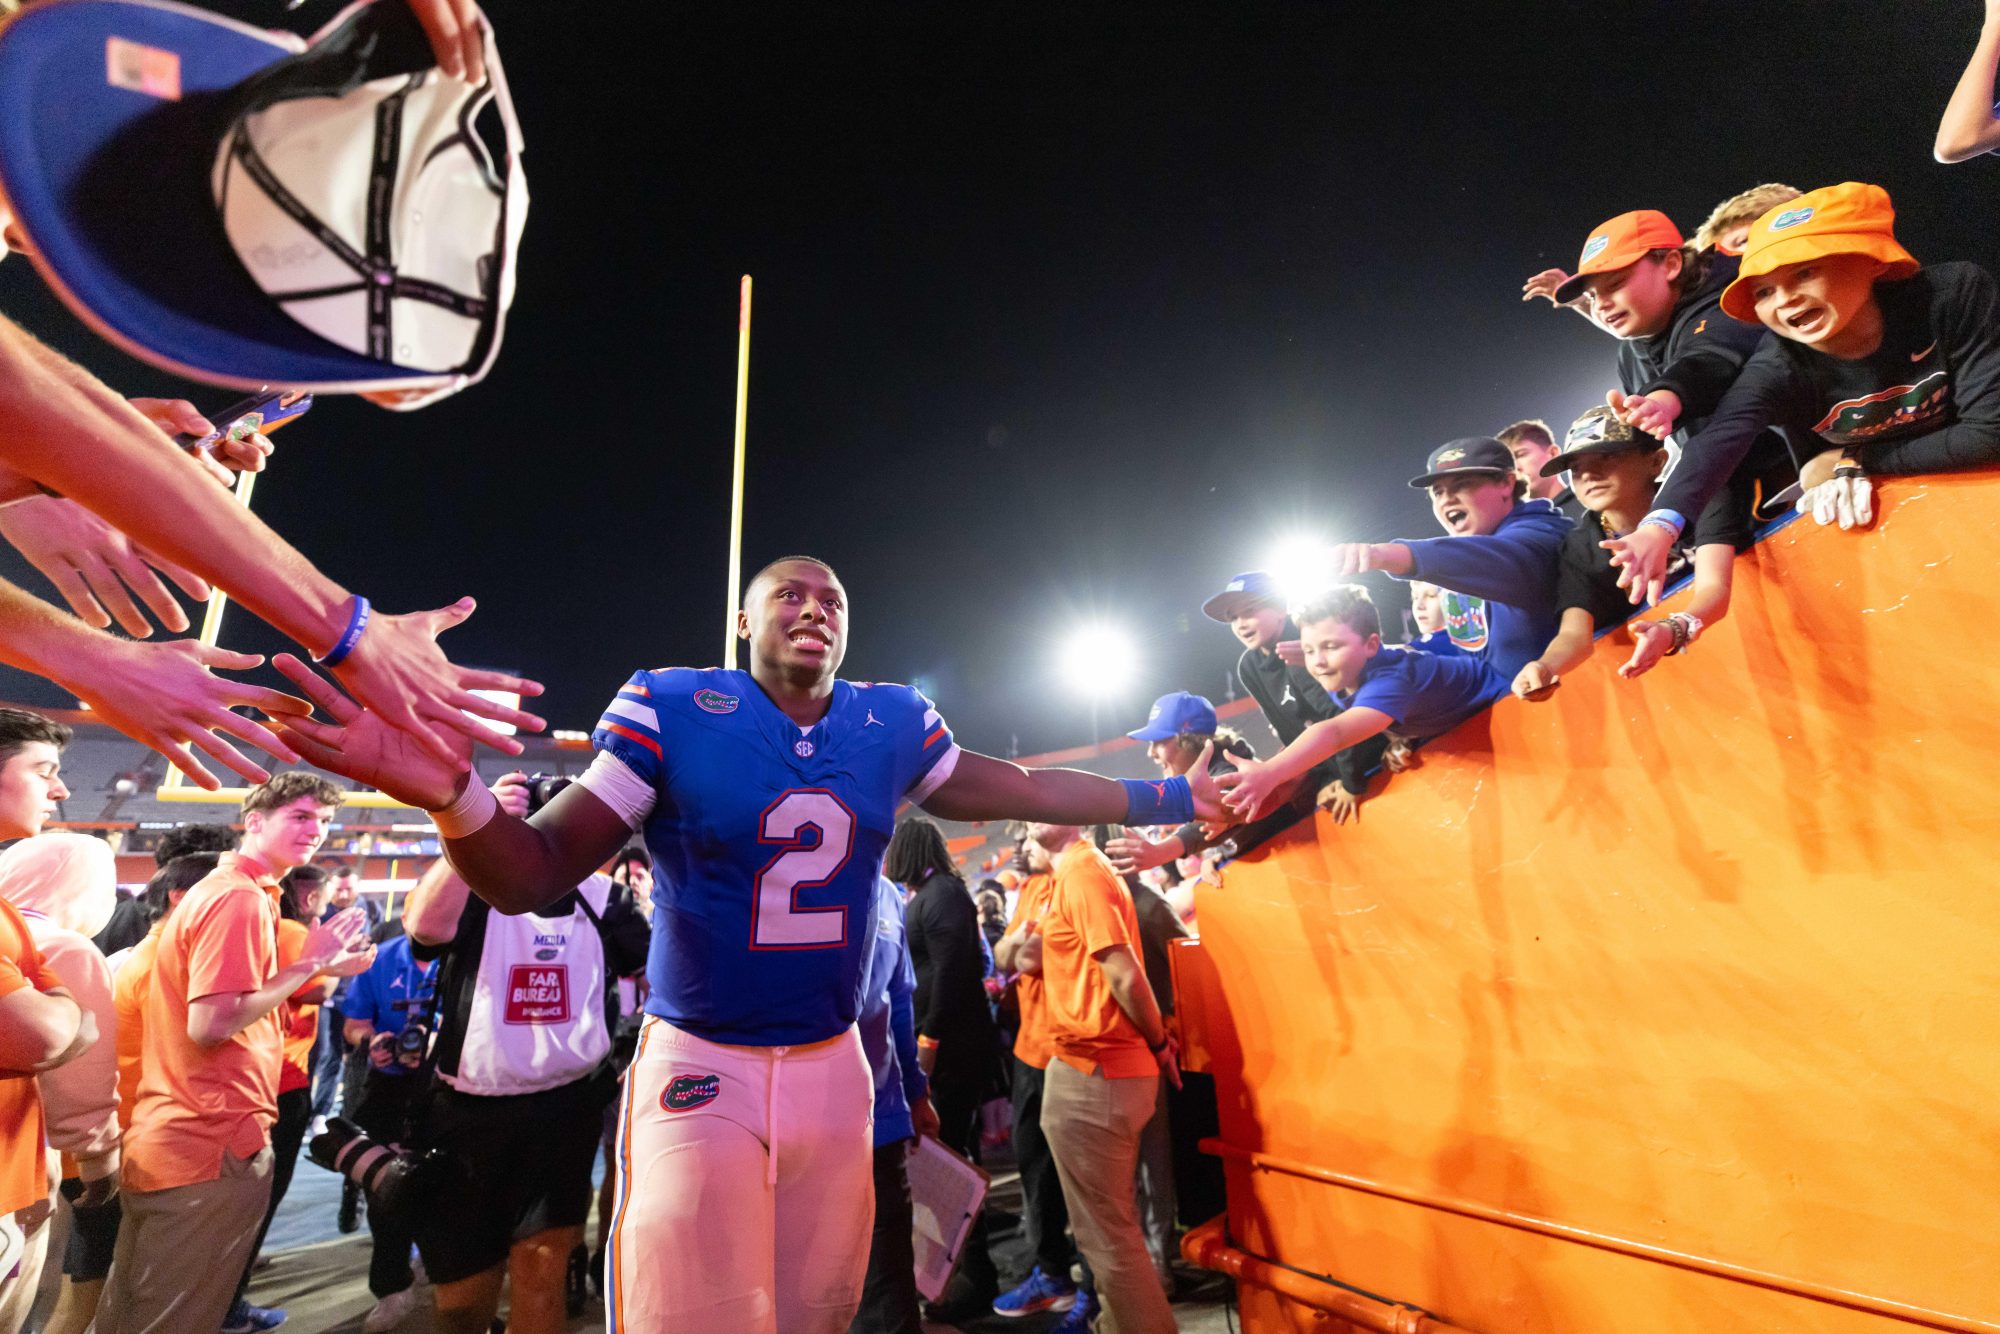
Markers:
point(1499, 563)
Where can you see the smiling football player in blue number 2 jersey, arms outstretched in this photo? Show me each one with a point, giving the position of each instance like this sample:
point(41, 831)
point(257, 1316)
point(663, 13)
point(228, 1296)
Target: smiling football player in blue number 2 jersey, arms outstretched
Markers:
point(767, 799)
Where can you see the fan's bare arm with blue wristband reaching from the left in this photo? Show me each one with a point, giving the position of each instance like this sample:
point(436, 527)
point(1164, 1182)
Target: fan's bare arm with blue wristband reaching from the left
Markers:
point(67, 431)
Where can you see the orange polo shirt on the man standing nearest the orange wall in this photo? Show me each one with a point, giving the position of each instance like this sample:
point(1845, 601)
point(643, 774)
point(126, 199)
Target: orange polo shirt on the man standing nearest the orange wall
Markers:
point(1089, 909)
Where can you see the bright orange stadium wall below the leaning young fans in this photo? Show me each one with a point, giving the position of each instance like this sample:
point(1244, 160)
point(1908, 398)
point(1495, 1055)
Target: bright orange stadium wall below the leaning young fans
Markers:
point(1667, 1005)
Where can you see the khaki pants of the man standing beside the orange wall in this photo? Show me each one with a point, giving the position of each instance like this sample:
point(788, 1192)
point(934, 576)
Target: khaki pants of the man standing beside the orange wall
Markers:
point(1093, 1129)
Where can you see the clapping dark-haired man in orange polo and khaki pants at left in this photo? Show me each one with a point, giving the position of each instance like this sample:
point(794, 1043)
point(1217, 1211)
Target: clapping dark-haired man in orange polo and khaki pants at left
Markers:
point(197, 1159)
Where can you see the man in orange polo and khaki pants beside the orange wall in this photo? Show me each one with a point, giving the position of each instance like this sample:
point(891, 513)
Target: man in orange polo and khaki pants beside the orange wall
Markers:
point(1111, 1047)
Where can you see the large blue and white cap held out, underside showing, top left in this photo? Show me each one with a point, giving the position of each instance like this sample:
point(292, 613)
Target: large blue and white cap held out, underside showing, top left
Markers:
point(207, 195)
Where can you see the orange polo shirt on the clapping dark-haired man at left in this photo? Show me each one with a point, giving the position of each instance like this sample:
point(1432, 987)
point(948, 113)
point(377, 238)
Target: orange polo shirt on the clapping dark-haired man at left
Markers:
point(199, 1103)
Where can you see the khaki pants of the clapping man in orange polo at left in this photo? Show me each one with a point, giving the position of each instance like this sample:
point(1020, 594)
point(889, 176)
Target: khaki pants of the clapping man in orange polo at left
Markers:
point(183, 1251)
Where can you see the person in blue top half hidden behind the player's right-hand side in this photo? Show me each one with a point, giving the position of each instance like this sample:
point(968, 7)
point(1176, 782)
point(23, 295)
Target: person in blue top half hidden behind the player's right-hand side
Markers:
point(903, 1113)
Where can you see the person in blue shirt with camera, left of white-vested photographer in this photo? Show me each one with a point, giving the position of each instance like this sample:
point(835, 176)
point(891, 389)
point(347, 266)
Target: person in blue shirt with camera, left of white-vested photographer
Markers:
point(387, 1015)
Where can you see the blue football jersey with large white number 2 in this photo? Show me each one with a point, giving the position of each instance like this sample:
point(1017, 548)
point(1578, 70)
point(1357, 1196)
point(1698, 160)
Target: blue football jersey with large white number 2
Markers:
point(767, 843)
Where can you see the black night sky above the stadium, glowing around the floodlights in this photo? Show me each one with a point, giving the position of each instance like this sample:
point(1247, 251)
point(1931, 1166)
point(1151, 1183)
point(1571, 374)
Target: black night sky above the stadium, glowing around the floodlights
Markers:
point(1063, 313)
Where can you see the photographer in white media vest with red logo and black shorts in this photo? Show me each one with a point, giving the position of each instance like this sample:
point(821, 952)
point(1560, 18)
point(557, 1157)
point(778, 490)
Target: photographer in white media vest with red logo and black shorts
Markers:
point(523, 1063)
